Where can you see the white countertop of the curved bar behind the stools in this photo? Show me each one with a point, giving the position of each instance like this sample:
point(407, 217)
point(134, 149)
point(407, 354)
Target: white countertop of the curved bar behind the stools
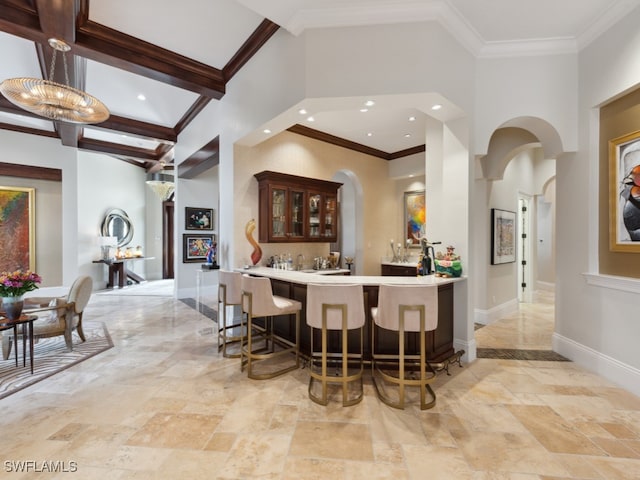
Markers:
point(306, 278)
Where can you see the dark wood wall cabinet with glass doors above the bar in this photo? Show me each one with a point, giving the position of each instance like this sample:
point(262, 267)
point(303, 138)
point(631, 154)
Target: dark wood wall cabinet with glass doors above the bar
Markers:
point(297, 209)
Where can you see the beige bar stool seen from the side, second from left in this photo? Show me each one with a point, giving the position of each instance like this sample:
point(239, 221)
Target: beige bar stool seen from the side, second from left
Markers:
point(258, 301)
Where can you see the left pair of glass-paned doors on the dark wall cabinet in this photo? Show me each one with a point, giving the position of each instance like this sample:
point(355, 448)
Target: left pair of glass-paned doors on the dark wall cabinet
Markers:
point(287, 213)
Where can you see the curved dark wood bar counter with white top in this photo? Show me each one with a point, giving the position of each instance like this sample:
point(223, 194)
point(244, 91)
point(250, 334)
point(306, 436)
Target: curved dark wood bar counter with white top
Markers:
point(293, 284)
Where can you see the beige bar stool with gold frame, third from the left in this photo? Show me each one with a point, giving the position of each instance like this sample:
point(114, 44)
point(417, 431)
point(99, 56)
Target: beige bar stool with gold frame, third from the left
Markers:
point(331, 308)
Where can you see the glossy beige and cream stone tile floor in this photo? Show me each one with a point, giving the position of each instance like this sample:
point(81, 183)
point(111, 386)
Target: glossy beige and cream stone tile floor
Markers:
point(162, 404)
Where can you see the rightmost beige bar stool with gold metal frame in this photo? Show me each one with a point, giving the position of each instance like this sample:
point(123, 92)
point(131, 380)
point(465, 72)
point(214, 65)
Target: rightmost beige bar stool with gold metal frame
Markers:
point(404, 308)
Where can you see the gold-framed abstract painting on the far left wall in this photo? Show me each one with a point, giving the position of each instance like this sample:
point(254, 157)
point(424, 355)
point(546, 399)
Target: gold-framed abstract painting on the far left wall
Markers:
point(17, 229)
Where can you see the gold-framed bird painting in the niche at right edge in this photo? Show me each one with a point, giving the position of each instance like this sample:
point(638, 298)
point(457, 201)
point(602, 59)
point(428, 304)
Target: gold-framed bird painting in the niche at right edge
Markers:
point(624, 193)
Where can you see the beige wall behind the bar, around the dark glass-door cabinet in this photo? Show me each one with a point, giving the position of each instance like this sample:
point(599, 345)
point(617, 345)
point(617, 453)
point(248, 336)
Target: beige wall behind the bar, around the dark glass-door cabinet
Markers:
point(297, 155)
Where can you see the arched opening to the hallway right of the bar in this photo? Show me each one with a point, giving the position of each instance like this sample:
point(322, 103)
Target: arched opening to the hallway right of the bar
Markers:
point(518, 172)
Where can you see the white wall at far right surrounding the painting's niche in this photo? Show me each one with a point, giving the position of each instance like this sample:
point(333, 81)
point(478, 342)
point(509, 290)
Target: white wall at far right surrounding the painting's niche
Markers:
point(596, 317)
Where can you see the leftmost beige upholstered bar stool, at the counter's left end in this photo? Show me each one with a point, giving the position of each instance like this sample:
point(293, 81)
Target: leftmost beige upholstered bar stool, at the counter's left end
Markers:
point(229, 295)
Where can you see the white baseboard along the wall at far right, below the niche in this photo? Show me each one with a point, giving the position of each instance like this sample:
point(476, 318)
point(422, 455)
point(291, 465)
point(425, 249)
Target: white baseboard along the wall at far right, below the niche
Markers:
point(621, 374)
